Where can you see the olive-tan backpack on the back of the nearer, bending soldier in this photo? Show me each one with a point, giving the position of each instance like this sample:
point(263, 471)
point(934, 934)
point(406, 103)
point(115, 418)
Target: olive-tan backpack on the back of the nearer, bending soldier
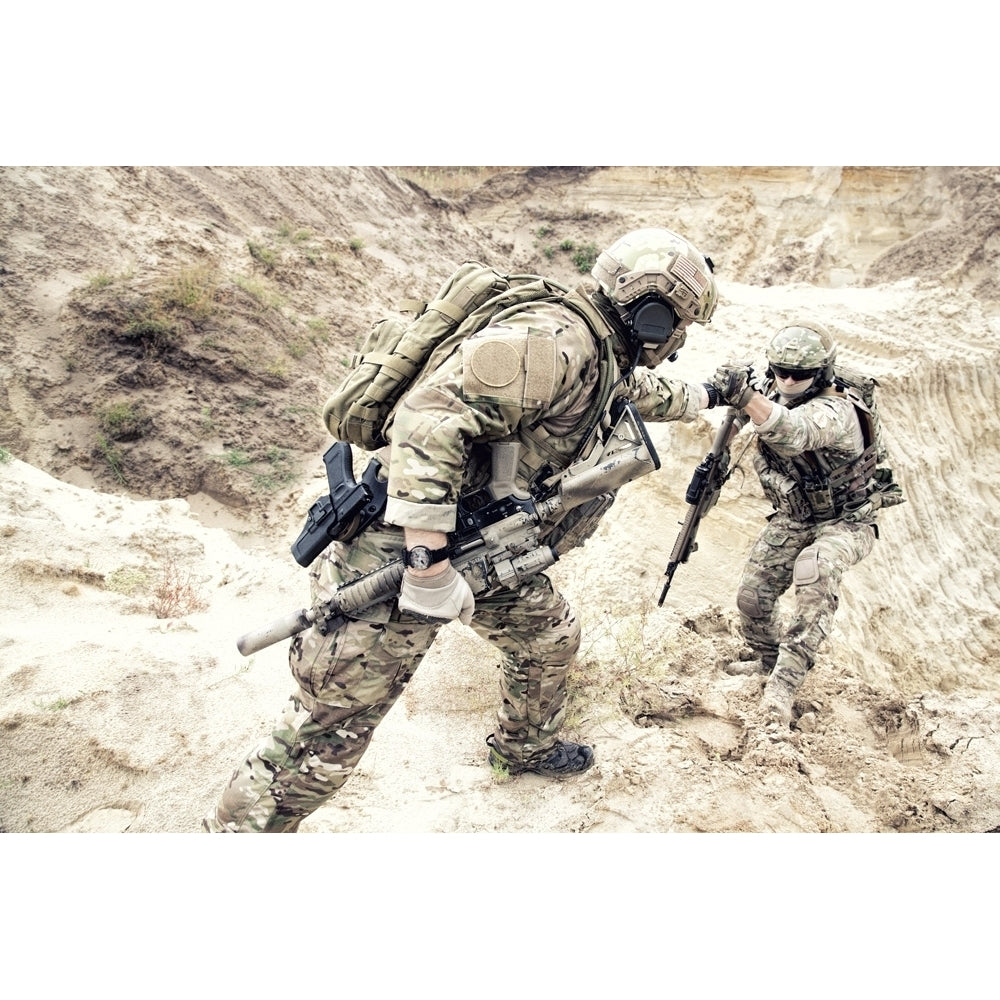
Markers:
point(397, 352)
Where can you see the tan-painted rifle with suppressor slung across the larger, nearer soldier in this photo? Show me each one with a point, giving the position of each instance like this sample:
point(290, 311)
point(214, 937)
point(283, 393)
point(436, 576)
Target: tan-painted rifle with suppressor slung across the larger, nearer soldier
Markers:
point(496, 540)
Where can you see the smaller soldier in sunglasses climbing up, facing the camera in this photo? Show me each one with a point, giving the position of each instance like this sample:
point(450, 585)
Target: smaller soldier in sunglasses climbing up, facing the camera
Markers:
point(816, 464)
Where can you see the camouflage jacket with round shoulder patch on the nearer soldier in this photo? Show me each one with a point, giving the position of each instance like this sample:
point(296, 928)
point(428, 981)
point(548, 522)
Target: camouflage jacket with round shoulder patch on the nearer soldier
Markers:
point(531, 379)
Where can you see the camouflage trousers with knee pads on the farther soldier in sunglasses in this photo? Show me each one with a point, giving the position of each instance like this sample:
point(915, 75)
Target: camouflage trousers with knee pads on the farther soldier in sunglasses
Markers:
point(812, 558)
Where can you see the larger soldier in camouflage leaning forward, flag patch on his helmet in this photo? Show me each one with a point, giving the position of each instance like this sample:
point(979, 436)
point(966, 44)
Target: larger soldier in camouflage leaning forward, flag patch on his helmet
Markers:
point(534, 379)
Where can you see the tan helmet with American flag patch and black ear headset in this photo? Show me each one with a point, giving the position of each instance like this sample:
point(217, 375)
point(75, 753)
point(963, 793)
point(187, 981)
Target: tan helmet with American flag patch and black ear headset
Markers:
point(658, 283)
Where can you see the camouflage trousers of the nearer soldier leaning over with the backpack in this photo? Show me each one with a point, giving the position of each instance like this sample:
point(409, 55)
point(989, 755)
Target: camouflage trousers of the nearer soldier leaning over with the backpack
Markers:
point(348, 681)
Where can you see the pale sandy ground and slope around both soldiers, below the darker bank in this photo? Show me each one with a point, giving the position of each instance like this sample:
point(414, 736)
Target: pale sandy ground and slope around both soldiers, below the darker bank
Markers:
point(114, 719)
